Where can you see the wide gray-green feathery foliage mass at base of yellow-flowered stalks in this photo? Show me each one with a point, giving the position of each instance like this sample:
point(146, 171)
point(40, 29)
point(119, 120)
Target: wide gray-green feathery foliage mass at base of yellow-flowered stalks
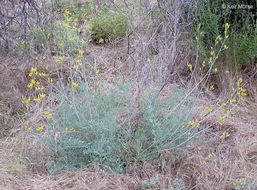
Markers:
point(106, 133)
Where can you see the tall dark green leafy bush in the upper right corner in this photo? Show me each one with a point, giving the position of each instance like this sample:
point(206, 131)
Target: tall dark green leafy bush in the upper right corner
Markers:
point(242, 36)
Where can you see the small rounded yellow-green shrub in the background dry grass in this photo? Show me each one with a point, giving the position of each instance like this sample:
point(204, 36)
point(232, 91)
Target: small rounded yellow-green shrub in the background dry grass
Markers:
point(108, 26)
